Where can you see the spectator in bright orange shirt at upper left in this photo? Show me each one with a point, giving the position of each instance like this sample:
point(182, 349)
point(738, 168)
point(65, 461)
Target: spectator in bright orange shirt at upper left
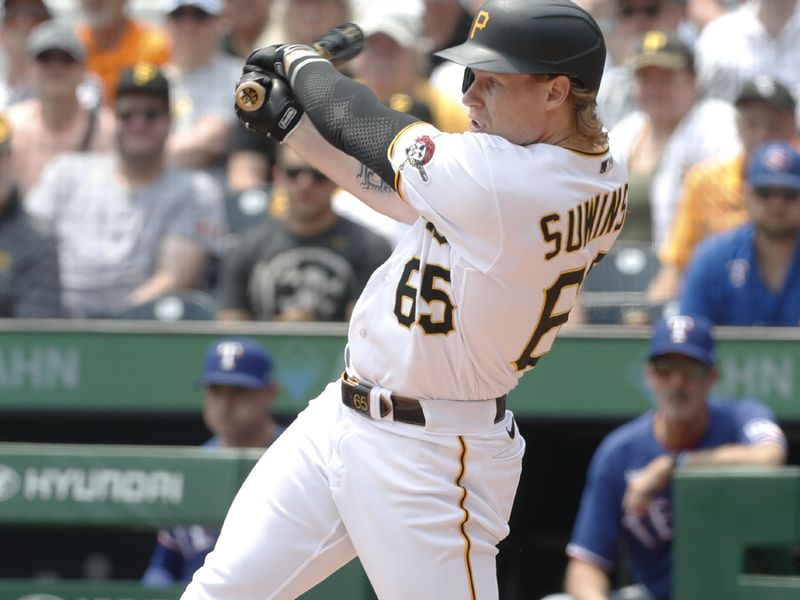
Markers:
point(115, 42)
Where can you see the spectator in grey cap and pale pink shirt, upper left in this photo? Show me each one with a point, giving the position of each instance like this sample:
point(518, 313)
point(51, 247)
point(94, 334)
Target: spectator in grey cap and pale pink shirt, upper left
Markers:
point(54, 121)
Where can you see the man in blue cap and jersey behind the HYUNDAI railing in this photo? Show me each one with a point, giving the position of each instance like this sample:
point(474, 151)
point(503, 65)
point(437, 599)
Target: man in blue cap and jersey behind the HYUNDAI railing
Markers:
point(238, 393)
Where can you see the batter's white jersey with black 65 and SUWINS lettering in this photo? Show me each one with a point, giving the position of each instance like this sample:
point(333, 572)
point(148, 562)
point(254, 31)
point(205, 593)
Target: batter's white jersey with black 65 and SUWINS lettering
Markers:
point(476, 291)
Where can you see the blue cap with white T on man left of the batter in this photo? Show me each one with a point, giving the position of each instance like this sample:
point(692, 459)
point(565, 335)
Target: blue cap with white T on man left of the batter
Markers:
point(240, 362)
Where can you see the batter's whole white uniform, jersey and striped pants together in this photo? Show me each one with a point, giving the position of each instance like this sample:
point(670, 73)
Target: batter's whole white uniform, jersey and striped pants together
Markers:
point(471, 297)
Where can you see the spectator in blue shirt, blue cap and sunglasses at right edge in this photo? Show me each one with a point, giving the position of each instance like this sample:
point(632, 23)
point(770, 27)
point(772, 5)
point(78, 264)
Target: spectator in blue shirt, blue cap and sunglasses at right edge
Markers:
point(751, 275)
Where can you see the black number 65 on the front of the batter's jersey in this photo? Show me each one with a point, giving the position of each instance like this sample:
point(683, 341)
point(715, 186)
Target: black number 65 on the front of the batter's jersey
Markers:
point(405, 303)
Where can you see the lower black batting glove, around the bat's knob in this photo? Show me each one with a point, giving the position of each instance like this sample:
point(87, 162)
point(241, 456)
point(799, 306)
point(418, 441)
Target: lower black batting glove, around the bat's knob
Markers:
point(278, 113)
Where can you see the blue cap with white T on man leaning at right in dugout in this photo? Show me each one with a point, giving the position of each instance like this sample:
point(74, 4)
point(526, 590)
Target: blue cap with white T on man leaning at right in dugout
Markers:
point(686, 335)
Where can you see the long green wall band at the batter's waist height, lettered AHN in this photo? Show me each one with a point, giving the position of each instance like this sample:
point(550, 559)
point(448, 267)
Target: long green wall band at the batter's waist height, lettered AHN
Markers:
point(138, 366)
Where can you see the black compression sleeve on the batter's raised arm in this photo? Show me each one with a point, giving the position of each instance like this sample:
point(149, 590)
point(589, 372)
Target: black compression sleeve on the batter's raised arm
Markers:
point(348, 114)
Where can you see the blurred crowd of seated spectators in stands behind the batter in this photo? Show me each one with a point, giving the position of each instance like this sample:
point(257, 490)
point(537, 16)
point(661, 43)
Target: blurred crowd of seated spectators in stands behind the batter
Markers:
point(125, 177)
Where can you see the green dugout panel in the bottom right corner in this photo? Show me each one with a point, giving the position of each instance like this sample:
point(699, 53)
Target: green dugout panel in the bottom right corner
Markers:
point(721, 514)
